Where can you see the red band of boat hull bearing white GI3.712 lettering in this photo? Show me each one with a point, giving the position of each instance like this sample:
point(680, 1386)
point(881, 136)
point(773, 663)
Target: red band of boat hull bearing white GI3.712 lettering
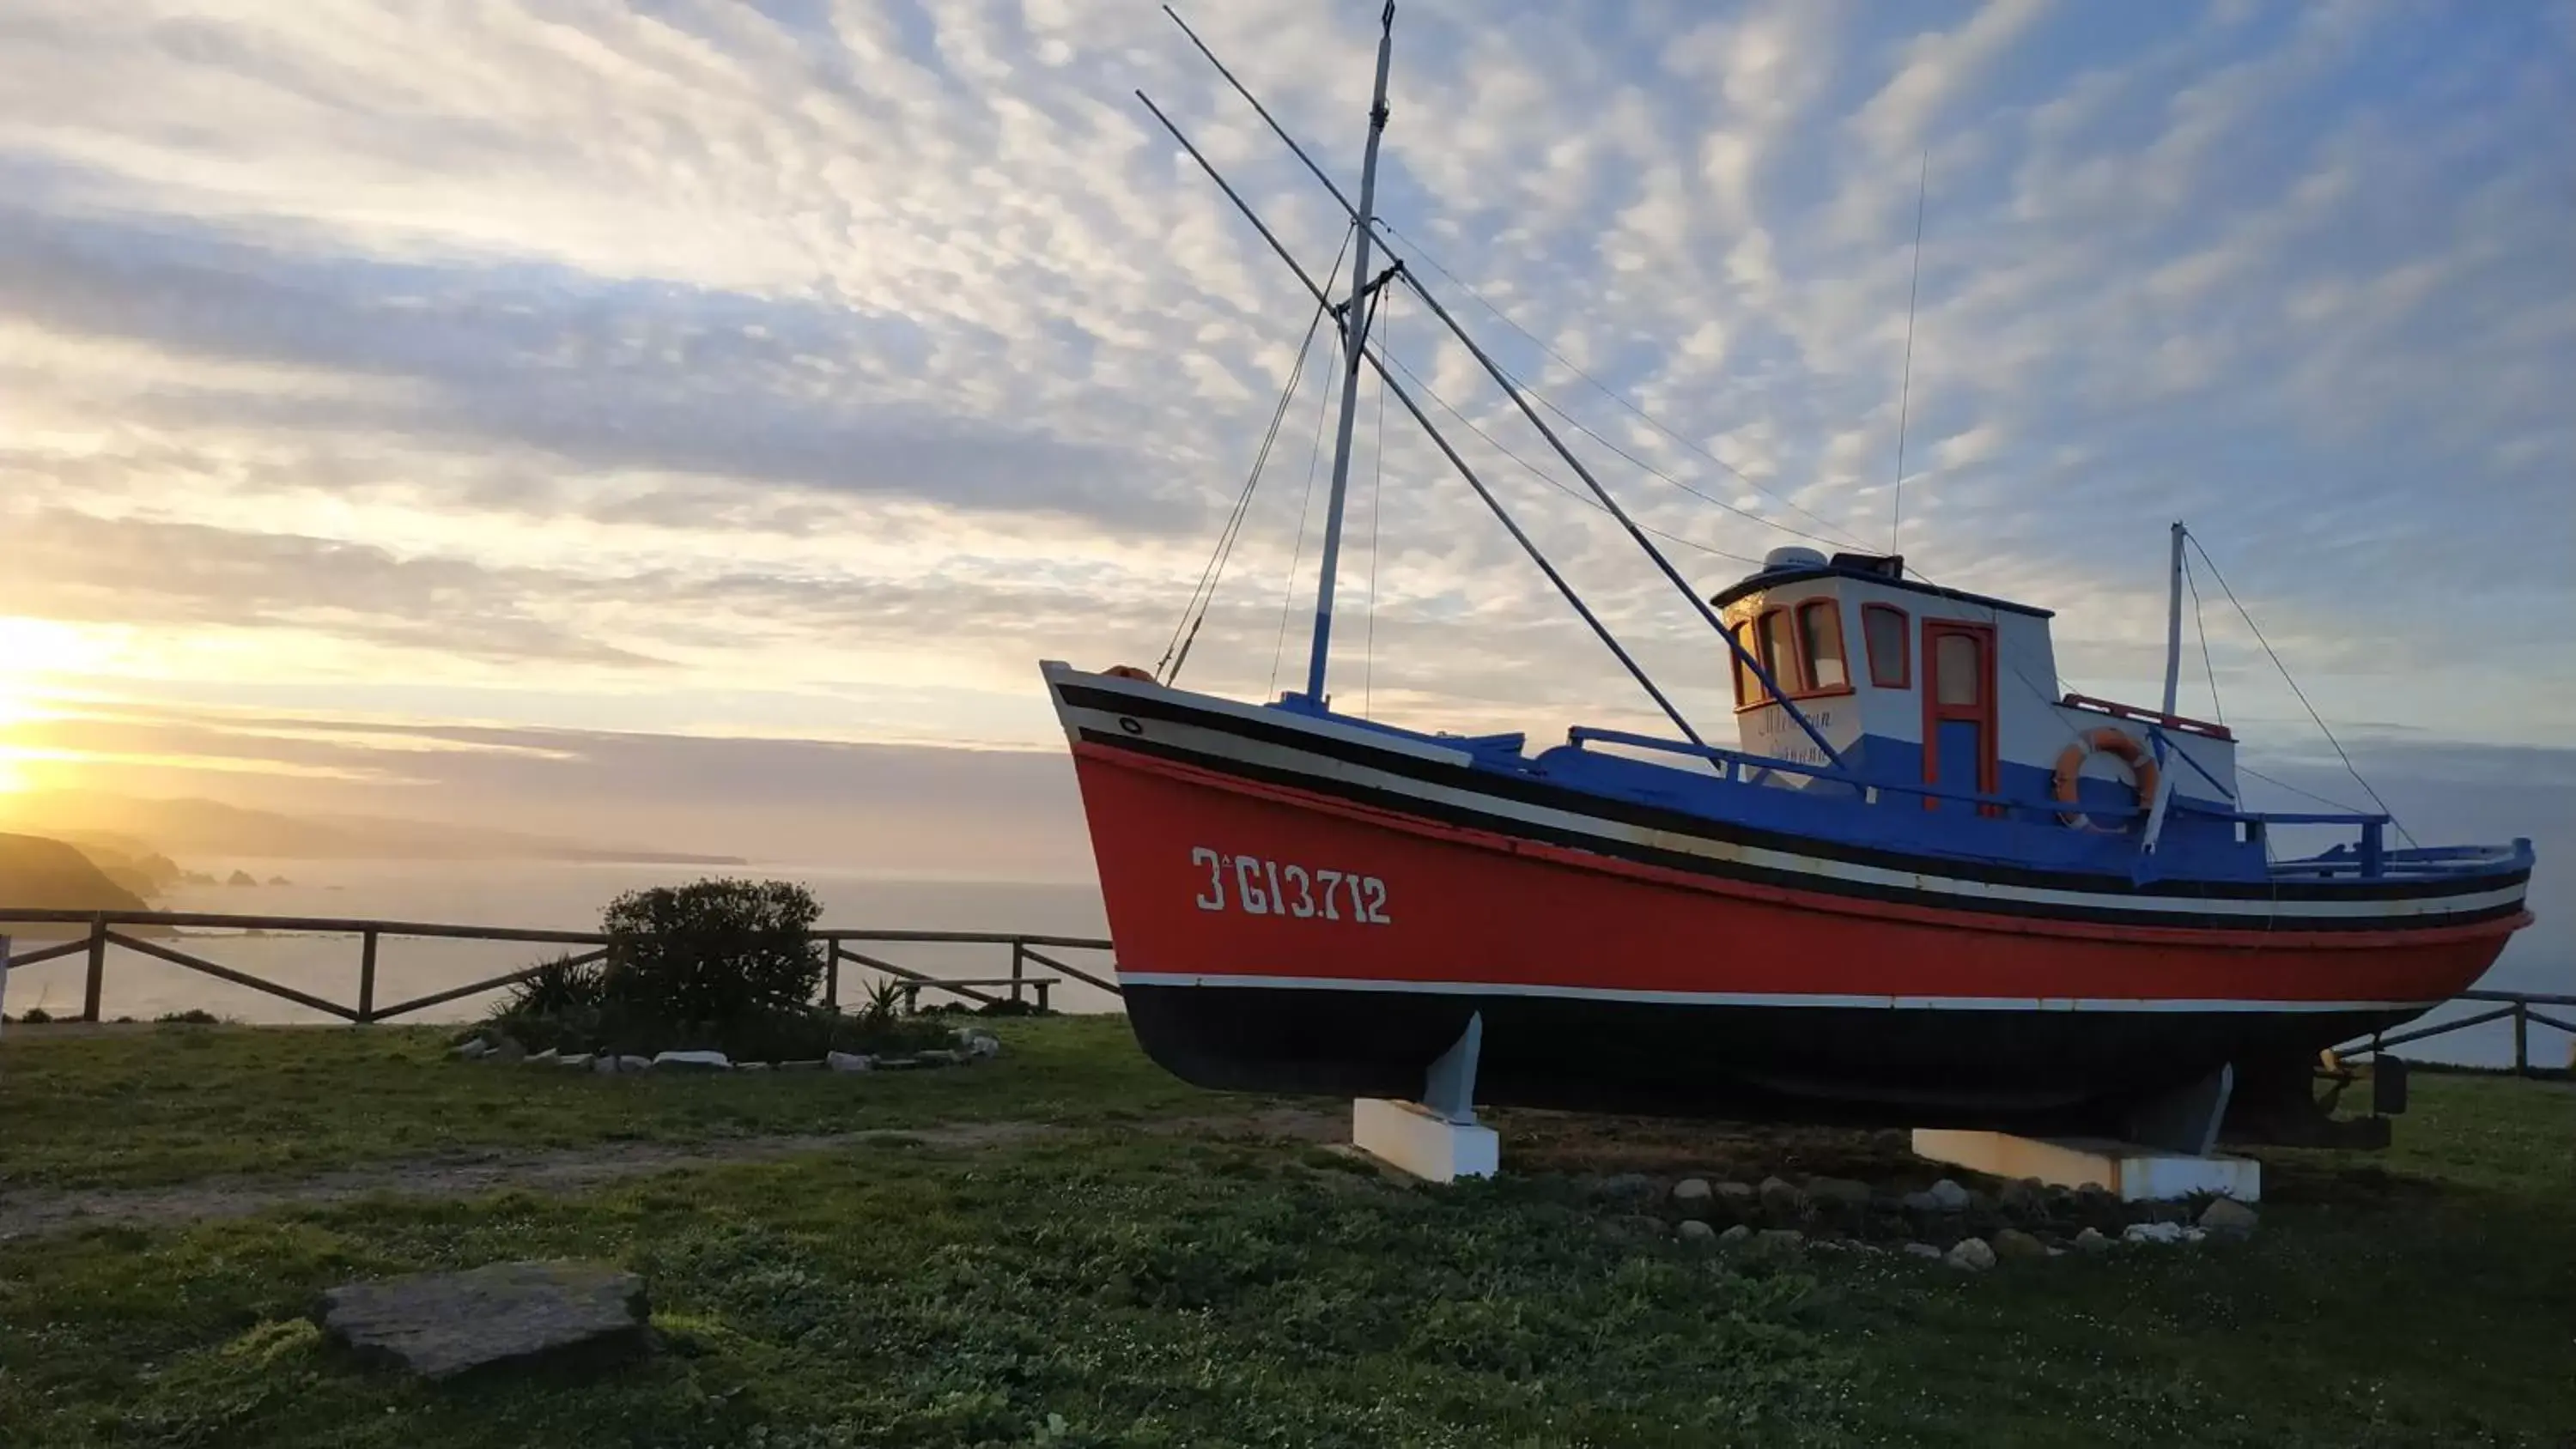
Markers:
point(1482, 910)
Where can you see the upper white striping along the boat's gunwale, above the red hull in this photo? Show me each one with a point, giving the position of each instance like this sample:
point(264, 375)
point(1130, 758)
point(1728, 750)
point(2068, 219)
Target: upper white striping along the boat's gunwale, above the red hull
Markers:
point(1235, 748)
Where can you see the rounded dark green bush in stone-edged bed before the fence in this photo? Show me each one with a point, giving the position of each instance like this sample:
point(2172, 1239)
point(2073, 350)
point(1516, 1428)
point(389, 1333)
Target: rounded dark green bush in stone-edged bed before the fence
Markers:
point(717, 951)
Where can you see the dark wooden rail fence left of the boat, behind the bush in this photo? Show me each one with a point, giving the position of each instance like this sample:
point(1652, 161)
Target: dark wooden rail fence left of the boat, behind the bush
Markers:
point(102, 933)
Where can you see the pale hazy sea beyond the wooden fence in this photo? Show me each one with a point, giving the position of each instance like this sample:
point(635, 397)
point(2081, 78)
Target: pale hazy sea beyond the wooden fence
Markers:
point(573, 894)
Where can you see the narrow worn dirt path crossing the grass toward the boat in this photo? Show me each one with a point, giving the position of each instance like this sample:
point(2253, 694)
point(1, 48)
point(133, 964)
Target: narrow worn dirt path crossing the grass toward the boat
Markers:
point(37, 1214)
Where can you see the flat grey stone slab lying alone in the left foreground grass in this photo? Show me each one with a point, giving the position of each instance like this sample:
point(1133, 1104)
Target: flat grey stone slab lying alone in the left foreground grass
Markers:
point(447, 1324)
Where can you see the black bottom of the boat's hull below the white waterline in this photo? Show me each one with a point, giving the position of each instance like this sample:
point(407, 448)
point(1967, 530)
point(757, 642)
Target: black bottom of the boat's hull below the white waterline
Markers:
point(2008, 1072)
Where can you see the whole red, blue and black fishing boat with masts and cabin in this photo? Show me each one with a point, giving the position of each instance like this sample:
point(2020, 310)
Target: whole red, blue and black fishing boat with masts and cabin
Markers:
point(1926, 887)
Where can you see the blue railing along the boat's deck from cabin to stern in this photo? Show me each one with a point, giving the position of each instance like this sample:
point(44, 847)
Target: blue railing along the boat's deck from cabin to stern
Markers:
point(2369, 858)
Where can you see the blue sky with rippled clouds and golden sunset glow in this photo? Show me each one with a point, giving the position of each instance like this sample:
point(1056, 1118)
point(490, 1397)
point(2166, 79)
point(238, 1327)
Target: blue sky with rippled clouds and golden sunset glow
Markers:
point(694, 418)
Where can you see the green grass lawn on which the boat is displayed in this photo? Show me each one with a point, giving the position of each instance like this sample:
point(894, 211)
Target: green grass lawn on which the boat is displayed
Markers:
point(1153, 1270)
